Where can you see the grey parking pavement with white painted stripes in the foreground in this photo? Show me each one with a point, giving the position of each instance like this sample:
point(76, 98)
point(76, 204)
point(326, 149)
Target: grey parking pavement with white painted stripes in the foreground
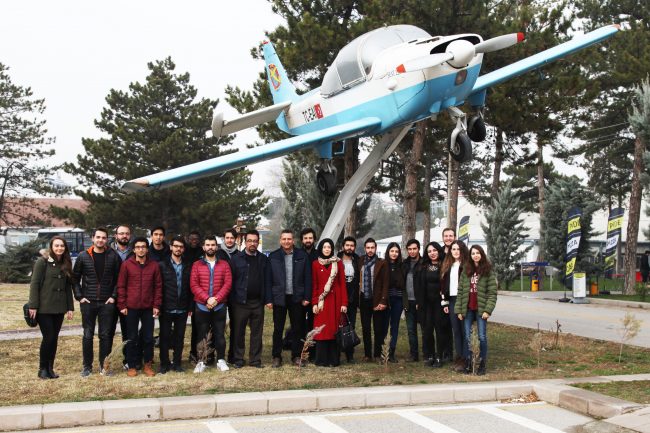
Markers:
point(471, 418)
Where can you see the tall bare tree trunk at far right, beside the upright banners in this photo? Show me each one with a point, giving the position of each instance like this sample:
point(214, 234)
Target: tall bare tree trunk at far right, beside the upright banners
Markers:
point(634, 214)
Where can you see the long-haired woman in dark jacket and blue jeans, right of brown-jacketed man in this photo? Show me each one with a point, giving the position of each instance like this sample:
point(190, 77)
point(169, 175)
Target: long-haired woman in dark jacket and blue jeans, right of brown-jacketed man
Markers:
point(396, 282)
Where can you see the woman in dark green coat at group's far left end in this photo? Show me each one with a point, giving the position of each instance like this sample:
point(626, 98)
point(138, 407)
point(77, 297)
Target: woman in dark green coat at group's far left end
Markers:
point(50, 298)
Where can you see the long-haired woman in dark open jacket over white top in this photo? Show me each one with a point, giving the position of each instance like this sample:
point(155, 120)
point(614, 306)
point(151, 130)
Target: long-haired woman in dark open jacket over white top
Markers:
point(450, 272)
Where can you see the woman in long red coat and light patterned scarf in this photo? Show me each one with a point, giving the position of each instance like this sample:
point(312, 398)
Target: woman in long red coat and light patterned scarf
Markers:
point(329, 300)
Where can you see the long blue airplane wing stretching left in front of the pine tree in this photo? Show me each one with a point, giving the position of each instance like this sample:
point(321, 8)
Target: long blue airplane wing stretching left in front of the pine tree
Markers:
point(242, 158)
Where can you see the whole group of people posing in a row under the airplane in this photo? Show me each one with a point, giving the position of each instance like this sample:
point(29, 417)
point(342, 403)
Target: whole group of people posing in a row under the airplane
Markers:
point(133, 282)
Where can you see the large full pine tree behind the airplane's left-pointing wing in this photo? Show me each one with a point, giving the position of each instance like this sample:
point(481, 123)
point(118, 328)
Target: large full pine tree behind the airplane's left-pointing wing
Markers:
point(156, 126)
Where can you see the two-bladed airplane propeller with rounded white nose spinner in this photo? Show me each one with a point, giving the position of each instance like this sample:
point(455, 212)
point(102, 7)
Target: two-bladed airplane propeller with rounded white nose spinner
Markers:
point(460, 52)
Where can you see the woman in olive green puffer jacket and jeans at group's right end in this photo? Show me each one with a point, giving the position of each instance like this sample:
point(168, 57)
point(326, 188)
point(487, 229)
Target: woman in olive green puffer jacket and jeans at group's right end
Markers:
point(477, 297)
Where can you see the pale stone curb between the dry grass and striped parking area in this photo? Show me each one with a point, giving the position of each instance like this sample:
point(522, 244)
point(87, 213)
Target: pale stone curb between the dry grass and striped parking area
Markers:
point(554, 391)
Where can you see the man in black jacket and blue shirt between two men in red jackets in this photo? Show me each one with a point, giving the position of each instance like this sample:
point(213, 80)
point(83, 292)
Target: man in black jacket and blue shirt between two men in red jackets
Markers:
point(176, 305)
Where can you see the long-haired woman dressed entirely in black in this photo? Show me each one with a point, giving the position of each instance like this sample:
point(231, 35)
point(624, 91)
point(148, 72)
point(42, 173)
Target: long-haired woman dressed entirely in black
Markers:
point(429, 305)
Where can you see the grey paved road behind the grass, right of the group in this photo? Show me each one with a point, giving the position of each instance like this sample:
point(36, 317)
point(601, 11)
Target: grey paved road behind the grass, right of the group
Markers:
point(588, 320)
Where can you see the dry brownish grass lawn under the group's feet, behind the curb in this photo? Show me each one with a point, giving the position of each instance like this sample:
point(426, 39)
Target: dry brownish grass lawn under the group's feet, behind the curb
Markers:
point(510, 358)
